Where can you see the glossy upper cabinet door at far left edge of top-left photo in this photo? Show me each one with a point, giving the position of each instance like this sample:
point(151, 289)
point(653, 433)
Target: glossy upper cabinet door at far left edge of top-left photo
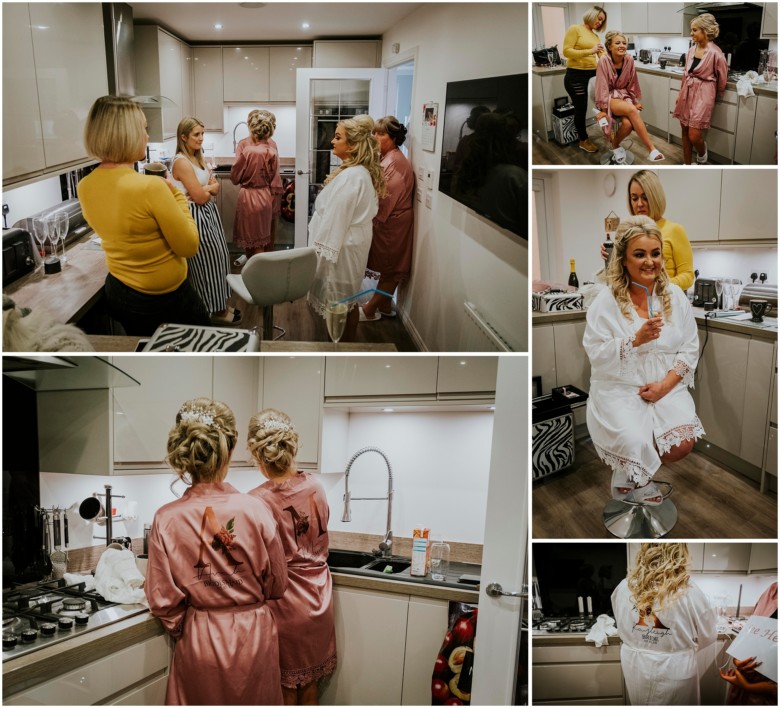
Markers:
point(22, 144)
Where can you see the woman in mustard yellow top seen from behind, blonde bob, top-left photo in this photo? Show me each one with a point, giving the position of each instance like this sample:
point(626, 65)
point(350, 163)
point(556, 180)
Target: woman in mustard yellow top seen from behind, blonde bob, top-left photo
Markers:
point(144, 223)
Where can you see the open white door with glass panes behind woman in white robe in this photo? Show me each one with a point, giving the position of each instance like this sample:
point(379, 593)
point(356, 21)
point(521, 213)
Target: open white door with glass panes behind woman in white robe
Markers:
point(323, 97)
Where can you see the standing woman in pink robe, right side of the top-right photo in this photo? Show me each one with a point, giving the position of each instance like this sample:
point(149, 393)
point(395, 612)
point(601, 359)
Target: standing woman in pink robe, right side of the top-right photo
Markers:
point(706, 74)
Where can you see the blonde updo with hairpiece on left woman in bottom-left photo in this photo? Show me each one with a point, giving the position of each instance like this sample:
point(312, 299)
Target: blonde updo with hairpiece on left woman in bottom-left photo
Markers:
point(202, 441)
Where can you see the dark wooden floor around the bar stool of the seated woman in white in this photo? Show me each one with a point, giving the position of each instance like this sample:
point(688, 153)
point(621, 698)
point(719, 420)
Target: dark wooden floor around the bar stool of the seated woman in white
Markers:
point(711, 501)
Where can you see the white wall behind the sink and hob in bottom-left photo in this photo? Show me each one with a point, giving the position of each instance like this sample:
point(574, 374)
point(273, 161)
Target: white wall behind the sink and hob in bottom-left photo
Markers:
point(440, 467)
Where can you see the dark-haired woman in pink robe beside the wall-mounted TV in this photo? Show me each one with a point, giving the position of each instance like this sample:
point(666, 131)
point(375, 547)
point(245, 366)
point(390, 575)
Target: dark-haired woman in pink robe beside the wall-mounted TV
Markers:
point(393, 234)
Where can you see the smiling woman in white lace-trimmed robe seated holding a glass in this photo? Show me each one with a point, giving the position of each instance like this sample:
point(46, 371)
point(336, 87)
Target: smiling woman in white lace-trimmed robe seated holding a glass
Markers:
point(642, 342)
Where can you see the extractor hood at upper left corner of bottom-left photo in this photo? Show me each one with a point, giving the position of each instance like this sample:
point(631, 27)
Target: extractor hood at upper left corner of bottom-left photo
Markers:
point(57, 373)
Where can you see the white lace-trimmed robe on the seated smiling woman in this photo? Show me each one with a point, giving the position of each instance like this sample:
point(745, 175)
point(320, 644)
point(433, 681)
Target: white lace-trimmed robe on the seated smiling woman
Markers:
point(628, 432)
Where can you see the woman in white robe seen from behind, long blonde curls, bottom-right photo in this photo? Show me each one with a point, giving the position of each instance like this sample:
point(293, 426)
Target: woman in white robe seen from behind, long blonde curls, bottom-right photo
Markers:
point(663, 619)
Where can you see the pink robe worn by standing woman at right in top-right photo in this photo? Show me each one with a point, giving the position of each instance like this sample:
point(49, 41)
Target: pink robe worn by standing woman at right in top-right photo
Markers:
point(699, 87)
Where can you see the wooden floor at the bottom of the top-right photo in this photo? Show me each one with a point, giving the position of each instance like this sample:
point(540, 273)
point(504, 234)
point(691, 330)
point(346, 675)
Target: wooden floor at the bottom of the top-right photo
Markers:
point(551, 153)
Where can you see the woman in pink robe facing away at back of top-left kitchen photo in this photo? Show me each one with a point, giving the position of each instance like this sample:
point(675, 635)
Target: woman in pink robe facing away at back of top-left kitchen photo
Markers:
point(256, 169)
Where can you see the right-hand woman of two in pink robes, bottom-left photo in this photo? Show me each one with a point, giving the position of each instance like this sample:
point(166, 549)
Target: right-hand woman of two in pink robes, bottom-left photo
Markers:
point(304, 616)
